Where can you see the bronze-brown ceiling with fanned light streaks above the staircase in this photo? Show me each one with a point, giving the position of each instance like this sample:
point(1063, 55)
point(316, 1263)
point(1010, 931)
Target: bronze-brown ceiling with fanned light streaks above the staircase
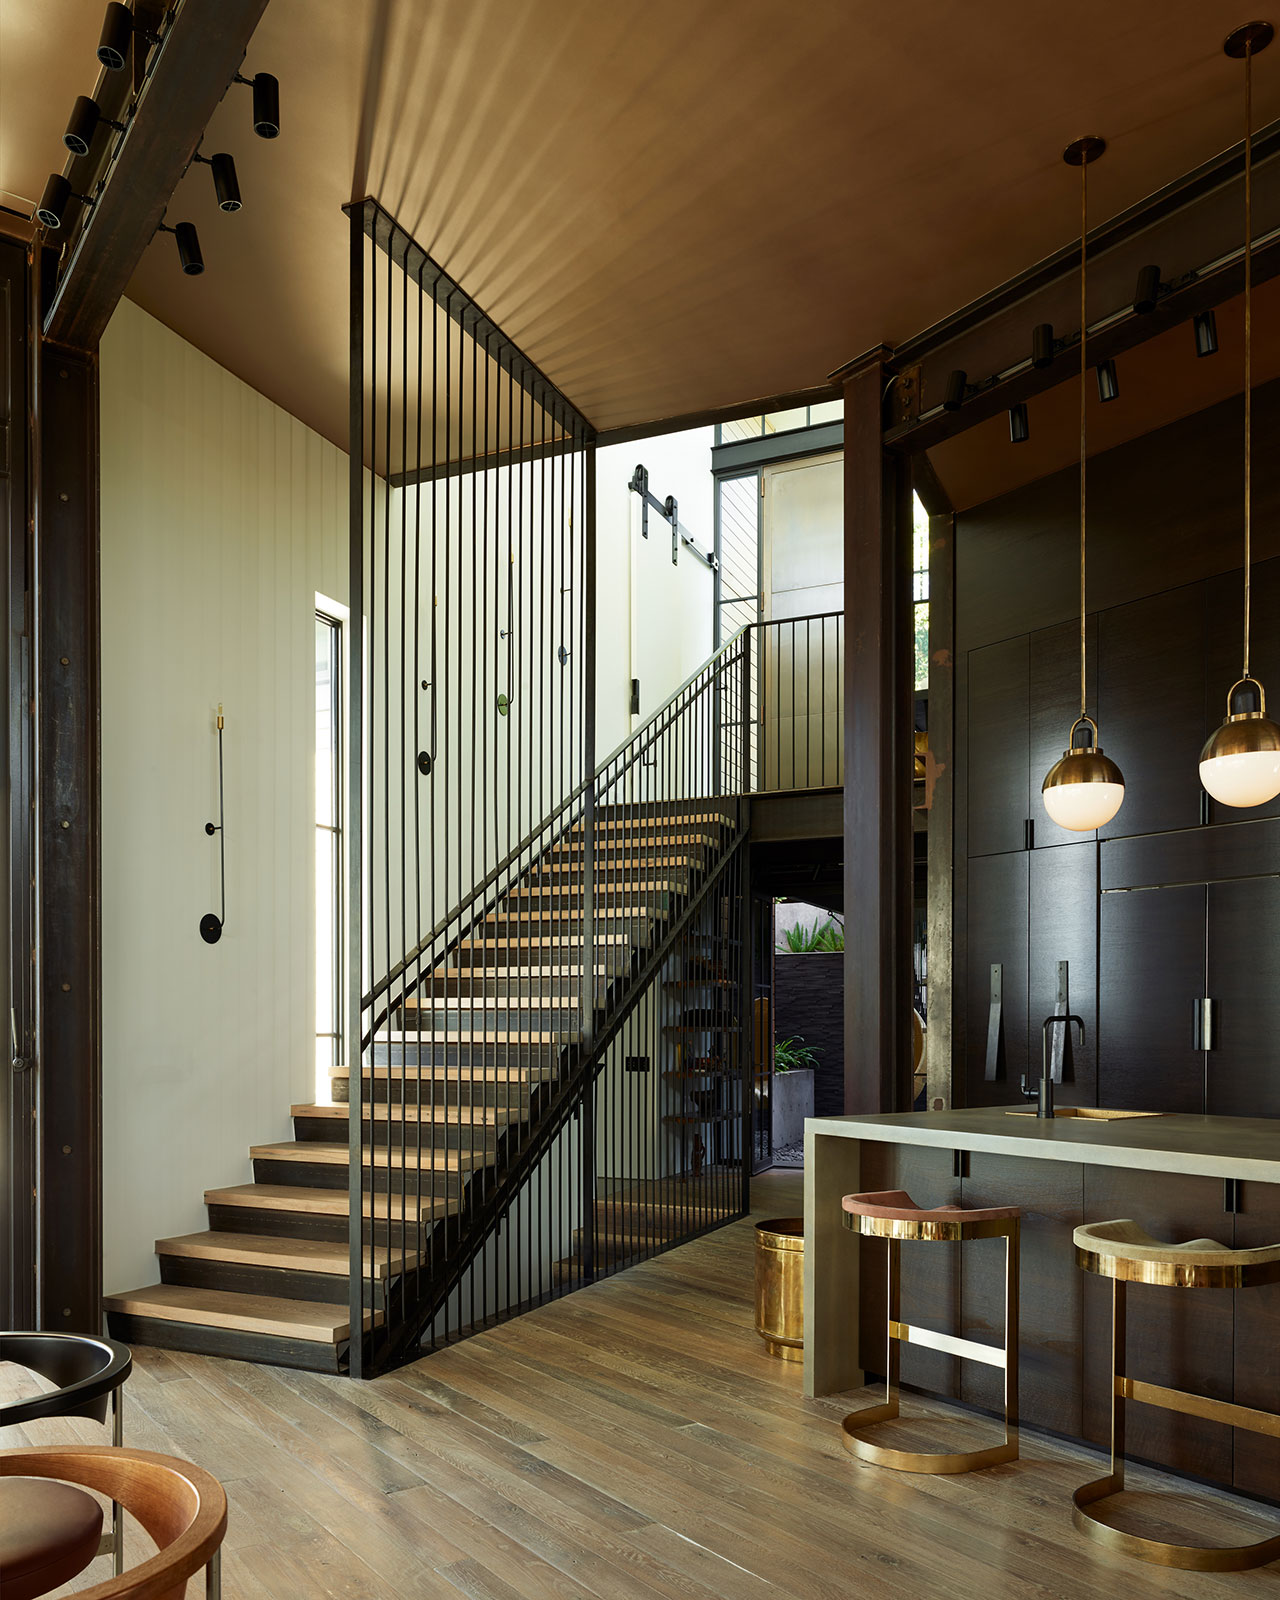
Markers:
point(673, 206)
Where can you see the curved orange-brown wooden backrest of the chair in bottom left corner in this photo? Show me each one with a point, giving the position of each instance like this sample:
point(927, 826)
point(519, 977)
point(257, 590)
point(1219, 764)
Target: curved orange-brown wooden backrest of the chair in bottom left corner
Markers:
point(182, 1506)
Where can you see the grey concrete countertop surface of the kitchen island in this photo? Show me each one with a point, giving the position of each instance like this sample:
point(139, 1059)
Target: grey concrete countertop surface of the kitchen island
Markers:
point(1247, 1148)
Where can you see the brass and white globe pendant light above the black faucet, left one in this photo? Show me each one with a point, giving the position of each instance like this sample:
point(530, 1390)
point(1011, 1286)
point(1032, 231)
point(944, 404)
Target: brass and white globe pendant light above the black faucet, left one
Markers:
point(1086, 790)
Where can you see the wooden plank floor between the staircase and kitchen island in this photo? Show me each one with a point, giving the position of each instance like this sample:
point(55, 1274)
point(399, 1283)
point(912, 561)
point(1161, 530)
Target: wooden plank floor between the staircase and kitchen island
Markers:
point(631, 1441)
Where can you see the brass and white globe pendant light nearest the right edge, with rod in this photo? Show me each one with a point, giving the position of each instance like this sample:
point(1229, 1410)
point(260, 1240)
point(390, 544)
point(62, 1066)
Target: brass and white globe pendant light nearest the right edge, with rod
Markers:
point(1241, 764)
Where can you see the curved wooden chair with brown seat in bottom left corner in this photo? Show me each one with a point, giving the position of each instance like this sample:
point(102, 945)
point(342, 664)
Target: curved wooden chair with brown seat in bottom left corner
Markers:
point(182, 1506)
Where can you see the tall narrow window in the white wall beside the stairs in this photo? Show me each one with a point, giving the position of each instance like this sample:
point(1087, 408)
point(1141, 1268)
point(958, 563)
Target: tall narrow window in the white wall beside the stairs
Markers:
point(329, 849)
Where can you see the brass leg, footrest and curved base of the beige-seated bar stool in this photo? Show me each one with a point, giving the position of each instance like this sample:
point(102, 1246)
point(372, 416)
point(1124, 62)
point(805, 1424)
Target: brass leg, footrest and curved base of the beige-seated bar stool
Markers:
point(1159, 1553)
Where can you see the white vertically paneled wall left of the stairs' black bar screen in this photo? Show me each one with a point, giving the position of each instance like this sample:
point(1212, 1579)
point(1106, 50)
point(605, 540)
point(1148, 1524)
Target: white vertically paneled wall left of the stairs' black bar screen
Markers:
point(222, 519)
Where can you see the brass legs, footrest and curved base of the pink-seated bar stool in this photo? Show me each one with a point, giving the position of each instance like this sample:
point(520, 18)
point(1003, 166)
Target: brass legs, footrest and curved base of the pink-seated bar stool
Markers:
point(898, 1334)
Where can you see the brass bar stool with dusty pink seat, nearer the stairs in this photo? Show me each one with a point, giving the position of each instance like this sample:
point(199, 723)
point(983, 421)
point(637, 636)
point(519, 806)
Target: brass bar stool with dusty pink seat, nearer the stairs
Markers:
point(895, 1217)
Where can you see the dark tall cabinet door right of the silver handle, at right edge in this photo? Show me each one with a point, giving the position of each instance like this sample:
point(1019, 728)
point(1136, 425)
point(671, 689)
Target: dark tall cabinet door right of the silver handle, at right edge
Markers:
point(1244, 1066)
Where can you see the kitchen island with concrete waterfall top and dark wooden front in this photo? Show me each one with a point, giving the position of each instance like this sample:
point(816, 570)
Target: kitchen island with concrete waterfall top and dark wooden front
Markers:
point(1180, 1177)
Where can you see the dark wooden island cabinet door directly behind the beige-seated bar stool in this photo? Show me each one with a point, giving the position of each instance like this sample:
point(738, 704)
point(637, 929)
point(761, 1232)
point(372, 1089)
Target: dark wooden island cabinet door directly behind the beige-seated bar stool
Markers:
point(1177, 1338)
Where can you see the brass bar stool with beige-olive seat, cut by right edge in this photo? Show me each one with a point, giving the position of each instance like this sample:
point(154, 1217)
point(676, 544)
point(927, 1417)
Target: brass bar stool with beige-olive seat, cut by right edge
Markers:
point(1126, 1254)
